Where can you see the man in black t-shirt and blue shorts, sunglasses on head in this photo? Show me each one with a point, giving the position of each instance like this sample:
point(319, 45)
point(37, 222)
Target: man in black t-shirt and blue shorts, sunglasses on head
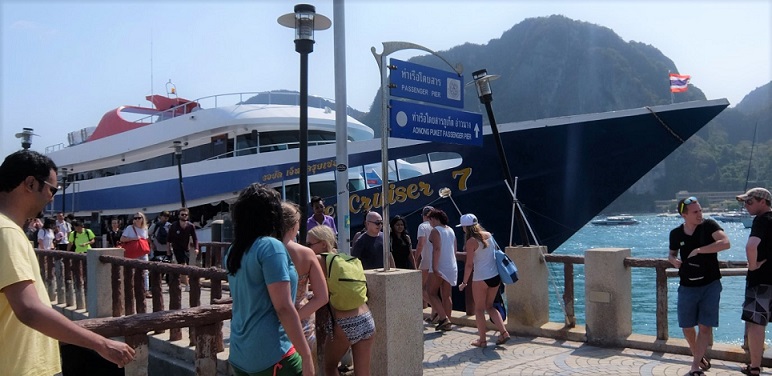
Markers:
point(694, 246)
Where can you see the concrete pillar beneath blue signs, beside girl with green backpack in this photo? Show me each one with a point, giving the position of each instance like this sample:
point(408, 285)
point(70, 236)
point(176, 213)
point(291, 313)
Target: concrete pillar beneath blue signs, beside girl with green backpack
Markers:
point(395, 302)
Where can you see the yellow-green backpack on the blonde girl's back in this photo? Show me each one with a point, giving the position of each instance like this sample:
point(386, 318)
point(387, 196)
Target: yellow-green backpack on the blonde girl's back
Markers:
point(346, 281)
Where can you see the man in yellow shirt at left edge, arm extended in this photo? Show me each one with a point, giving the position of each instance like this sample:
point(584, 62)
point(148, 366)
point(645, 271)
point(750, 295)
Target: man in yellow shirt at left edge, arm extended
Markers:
point(29, 327)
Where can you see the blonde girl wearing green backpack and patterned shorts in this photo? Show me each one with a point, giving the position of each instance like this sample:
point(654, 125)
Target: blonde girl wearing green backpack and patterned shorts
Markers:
point(348, 327)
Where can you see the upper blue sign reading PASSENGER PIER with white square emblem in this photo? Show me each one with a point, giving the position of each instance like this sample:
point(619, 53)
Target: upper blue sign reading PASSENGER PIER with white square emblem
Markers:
point(426, 84)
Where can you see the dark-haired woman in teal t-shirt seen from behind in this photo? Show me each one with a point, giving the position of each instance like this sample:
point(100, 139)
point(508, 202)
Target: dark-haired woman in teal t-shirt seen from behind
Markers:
point(266, 334)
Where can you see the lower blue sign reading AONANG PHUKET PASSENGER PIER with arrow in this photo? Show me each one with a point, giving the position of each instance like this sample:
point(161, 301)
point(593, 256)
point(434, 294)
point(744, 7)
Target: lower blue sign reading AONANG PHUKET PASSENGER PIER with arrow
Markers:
point(420, 122)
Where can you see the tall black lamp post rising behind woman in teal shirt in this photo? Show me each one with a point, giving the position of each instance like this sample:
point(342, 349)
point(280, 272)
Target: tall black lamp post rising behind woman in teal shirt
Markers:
point(304, 20)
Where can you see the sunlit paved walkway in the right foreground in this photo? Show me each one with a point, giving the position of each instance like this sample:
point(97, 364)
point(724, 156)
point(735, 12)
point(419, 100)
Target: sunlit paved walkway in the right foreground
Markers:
point(450, 353)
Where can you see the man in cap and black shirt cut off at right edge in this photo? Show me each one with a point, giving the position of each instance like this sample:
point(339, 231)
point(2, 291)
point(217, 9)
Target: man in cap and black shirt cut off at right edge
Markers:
point(757, 307)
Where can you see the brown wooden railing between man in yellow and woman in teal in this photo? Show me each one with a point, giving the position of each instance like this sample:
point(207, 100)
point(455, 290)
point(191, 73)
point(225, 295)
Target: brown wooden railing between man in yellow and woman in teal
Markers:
point(64, 274)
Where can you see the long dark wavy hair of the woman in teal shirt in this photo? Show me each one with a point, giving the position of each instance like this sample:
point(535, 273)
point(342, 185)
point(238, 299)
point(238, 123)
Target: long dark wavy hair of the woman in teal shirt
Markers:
point(256, 213)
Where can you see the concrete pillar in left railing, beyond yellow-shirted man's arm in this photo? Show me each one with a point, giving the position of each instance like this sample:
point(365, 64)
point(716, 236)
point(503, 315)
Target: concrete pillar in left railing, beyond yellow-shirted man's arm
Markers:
point(99, 294)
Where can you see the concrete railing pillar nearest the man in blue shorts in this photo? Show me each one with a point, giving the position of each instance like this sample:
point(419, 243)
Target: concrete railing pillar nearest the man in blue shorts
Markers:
point(608, 296)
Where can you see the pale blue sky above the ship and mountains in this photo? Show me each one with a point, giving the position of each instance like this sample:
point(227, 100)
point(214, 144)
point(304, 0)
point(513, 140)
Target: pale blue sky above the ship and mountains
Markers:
point(66, 63)
